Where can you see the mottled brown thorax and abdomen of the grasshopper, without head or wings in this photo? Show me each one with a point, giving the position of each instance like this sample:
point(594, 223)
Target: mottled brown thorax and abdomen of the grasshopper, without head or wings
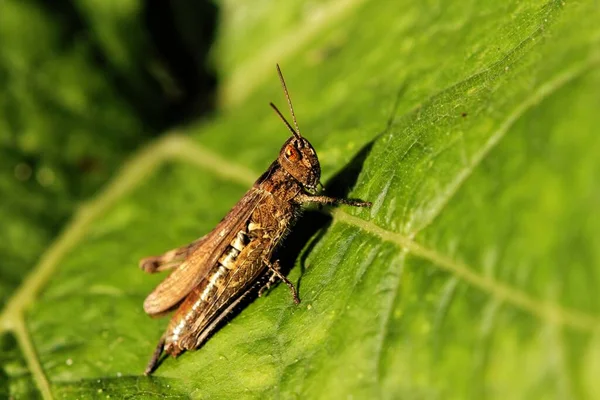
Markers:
point(235, 273)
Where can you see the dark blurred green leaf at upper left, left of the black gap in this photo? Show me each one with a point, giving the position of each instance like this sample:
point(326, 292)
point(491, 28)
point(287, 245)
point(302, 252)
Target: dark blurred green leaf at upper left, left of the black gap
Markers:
point(64, 130)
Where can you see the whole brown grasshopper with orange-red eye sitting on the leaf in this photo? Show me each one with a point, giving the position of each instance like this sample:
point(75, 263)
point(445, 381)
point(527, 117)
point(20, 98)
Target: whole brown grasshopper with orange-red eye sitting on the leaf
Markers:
point(216, 272)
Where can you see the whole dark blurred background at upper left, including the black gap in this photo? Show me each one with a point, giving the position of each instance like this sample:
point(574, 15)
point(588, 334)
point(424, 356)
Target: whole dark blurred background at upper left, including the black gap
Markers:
point(84, 84)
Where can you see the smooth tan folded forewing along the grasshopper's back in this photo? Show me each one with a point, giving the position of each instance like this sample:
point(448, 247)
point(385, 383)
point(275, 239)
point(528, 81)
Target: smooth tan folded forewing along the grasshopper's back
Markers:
point(195, 268)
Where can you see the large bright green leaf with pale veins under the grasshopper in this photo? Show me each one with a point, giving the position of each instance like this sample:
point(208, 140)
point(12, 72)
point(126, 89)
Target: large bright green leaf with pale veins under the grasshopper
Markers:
point(472, 127)
